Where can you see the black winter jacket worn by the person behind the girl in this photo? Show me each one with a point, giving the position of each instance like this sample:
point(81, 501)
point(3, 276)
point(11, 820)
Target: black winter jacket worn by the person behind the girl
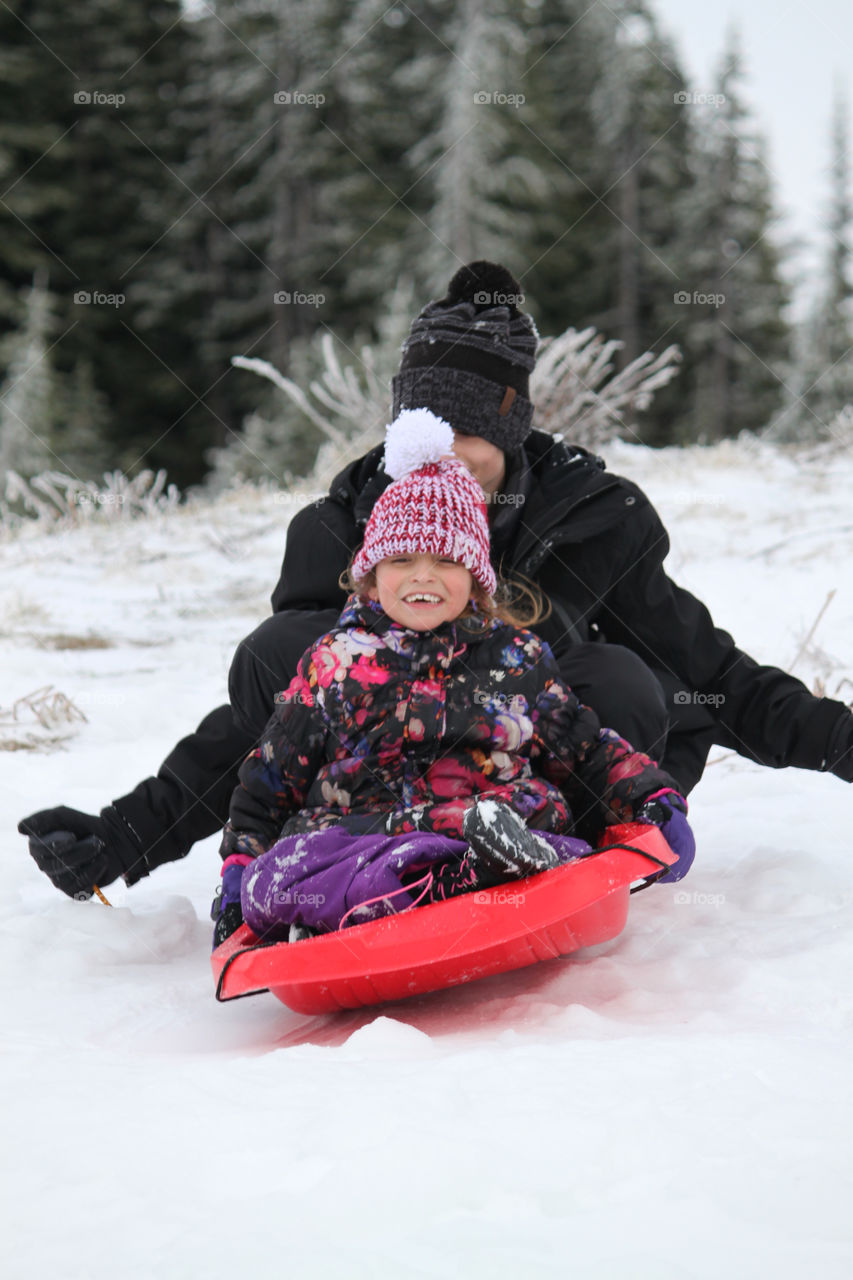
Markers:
point(596, 547)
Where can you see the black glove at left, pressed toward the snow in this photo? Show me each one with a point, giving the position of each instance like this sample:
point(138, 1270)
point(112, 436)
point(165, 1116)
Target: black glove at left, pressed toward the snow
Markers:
point(77, 851)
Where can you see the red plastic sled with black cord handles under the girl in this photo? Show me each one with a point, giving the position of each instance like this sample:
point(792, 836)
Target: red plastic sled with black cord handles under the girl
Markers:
point(444, 945)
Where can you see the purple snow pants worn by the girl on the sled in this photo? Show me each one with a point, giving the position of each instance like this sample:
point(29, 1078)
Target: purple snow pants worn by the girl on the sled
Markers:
point(320, 877)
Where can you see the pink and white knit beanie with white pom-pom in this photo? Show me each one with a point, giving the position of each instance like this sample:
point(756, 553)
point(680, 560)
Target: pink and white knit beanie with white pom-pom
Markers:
point(435, 506)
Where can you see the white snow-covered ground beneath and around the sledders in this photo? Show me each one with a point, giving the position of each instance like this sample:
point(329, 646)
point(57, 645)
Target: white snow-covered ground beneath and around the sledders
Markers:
point(674, 1105)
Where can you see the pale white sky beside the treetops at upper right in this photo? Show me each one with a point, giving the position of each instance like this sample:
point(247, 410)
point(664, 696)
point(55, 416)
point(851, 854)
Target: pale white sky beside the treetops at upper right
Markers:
point(793, 56)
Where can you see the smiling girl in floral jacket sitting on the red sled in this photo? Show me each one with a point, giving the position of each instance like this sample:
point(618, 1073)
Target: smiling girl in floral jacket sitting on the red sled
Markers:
point(428, 738)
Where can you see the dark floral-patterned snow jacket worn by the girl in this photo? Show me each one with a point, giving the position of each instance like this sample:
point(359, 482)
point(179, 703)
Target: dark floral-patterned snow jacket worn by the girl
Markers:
point(390, 729)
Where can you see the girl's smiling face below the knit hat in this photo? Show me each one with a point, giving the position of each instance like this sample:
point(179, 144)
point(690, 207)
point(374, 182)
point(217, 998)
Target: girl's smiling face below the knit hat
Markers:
point(422, 592)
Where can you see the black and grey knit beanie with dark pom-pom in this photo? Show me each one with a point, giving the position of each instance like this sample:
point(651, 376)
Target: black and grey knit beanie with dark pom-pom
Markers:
point(469, 356)
